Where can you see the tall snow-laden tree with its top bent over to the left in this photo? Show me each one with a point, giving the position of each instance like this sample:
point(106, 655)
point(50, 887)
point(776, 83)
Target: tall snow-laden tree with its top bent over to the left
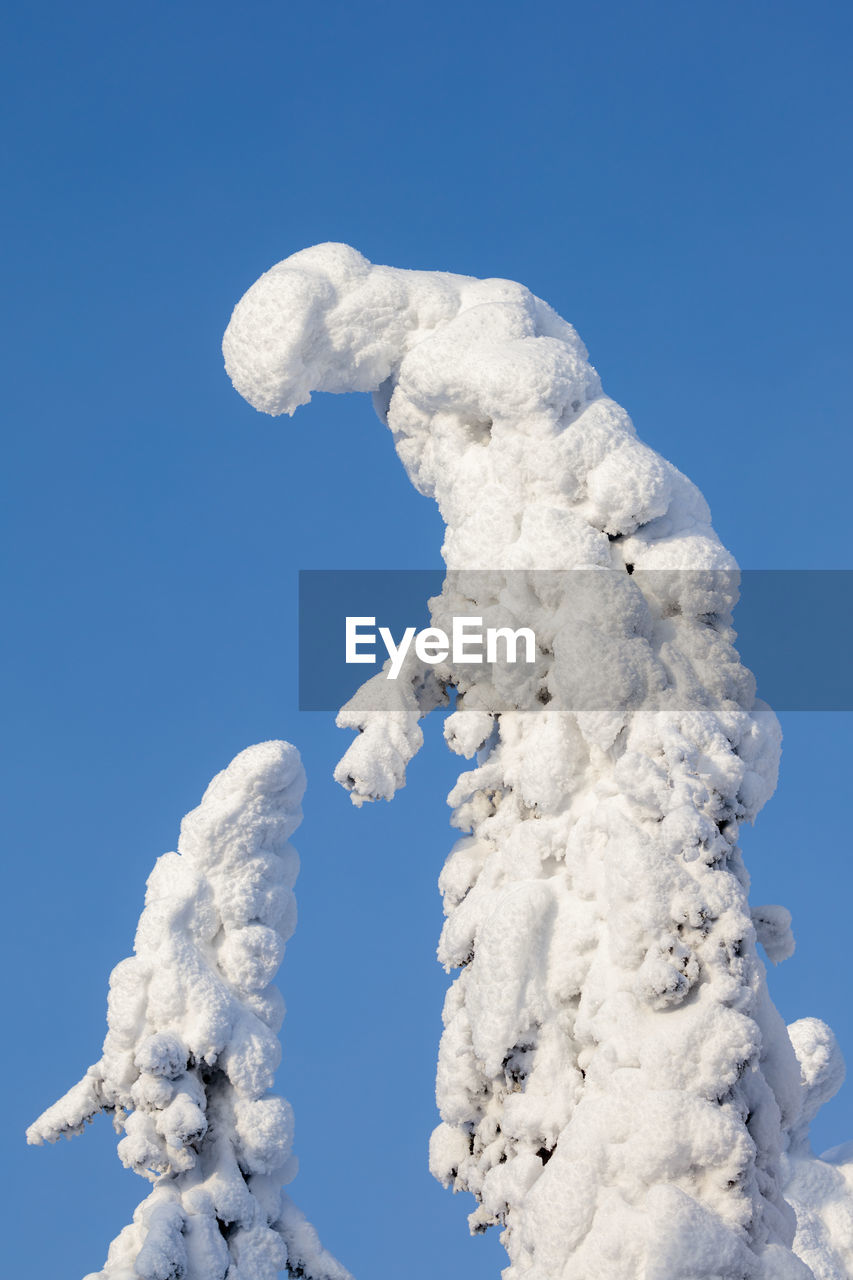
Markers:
point(615, 1086)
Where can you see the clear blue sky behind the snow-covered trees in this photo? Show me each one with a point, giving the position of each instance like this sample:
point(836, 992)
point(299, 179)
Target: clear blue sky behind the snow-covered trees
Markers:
point(676, 181)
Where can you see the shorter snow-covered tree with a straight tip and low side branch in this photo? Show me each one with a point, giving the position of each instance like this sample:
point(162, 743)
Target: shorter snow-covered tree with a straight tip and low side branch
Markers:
point(191, 1049)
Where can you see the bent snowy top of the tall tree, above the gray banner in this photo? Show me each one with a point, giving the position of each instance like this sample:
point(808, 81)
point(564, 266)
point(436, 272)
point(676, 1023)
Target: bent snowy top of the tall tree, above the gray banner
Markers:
point(482, 378)
